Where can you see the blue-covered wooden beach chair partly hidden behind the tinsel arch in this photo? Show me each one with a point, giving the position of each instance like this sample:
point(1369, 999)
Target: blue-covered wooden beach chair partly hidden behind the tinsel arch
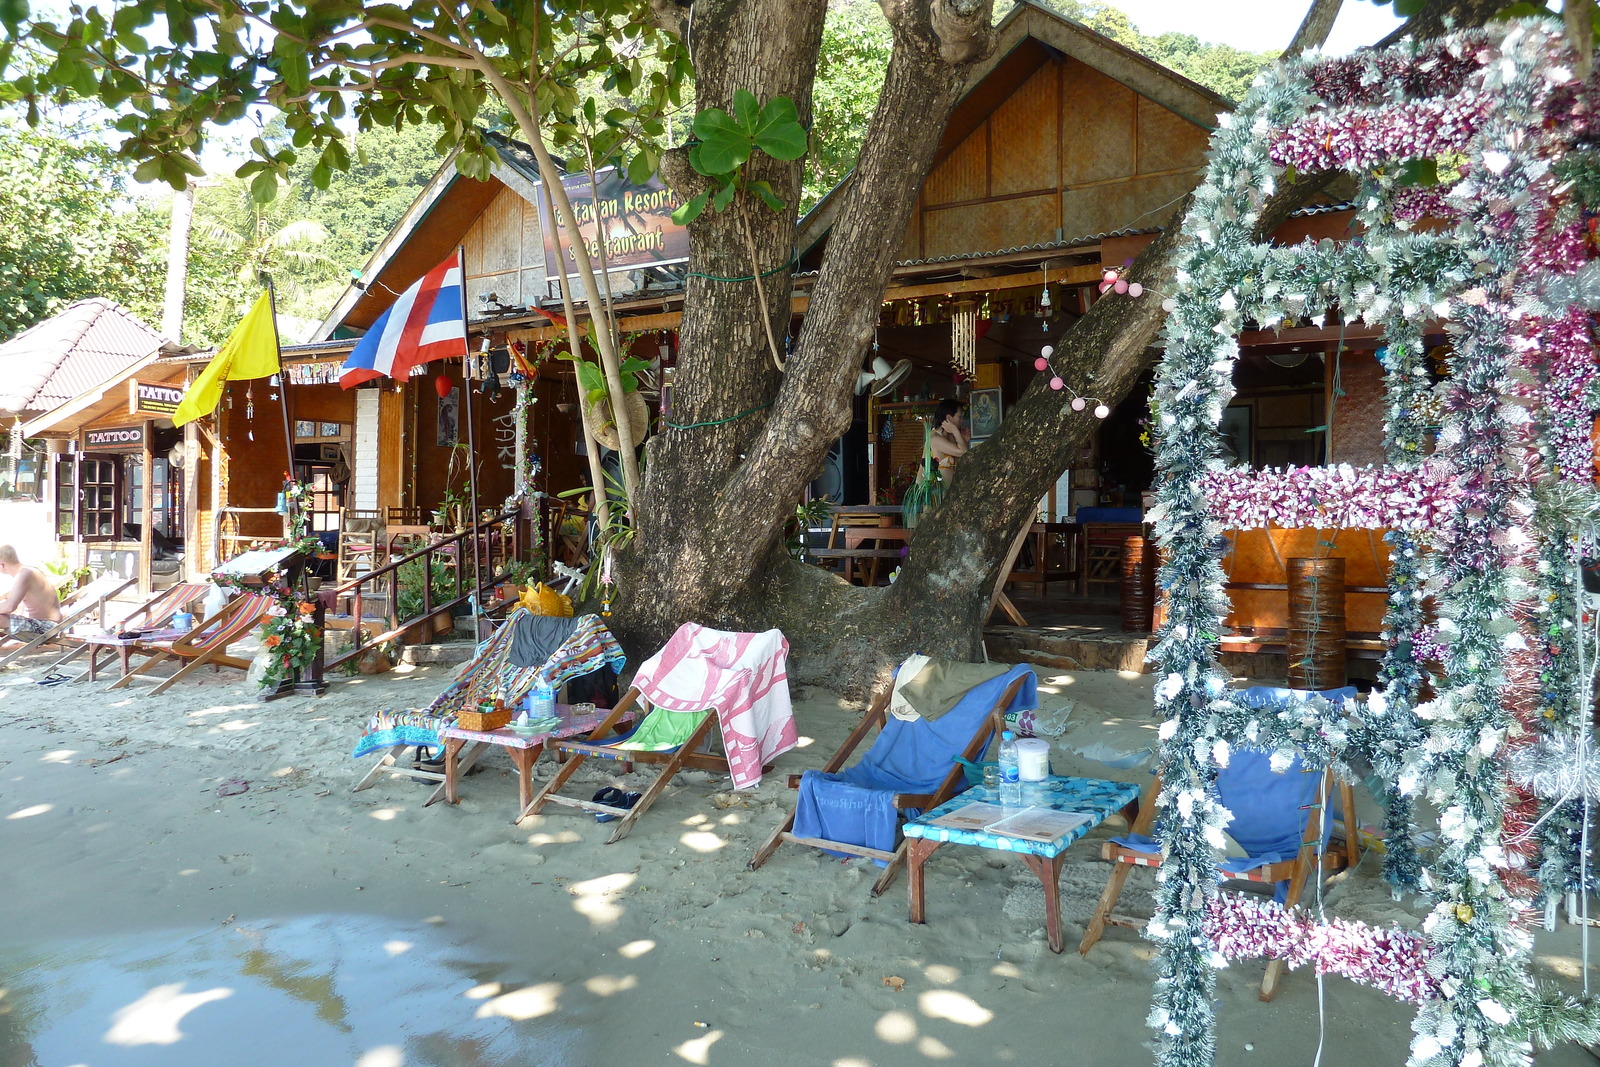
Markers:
point(1281, 821)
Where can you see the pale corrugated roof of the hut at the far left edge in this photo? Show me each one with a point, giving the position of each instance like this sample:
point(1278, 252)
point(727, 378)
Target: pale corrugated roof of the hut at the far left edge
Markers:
point(55, 361)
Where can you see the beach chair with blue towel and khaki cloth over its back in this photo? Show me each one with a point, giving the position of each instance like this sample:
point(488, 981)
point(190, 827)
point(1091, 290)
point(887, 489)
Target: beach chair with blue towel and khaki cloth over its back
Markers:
point(911, 765)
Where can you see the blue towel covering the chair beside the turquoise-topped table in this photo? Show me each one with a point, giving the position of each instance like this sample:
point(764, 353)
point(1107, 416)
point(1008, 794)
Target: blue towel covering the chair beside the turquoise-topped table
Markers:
point(910, 757)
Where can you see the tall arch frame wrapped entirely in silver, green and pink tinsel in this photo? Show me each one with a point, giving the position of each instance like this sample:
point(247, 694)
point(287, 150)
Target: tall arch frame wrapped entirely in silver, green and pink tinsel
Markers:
point(1476, 169)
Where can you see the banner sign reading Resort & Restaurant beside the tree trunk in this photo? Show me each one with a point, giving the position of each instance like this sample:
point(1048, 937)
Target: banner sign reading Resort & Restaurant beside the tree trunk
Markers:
point(636, 223)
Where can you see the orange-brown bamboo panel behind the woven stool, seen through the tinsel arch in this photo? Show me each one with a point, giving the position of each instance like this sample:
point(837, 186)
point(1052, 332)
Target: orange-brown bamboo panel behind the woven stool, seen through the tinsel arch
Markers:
point(1258, 557)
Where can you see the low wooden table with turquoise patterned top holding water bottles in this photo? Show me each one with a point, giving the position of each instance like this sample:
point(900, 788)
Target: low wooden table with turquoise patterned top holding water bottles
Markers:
point(1090, 796)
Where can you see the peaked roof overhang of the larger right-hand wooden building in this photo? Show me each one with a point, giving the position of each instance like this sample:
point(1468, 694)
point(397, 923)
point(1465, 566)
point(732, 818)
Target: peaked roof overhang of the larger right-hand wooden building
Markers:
point(1026, 39)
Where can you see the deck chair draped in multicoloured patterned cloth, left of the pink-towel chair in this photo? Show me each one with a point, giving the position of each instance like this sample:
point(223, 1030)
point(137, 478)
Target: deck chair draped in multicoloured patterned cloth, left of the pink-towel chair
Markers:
point(486, 677)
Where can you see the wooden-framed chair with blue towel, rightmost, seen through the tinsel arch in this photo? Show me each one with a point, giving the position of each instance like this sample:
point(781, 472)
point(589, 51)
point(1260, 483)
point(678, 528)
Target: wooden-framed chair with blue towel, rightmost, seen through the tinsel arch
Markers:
point(1297, 809)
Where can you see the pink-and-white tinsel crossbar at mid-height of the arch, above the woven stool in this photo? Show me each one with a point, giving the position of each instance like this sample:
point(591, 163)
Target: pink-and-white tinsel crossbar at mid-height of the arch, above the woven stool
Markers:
point(1342, 497)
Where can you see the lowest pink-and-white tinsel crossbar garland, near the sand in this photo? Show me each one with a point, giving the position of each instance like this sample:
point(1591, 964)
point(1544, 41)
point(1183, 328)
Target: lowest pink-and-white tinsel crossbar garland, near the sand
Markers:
point(1390, 961)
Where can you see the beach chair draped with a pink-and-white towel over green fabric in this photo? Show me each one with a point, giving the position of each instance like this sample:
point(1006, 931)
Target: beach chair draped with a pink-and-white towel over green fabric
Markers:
point(702, 677)
